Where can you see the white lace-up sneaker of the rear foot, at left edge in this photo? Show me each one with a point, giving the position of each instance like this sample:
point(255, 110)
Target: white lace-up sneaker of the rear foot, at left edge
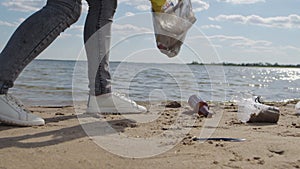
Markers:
point(12, 112)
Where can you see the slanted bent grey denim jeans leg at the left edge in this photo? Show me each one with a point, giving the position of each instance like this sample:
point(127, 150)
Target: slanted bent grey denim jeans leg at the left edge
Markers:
point(33, 36)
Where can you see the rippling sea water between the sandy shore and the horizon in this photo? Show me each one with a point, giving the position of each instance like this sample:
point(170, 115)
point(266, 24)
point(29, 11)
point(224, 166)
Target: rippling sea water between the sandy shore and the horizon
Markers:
point(51, 82)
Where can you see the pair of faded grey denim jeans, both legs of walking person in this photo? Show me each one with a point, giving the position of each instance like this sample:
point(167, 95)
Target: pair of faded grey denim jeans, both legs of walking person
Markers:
point(38, 31)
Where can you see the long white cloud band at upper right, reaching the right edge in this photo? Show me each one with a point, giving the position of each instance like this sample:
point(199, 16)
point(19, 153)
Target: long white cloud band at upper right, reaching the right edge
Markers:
point(290, 21)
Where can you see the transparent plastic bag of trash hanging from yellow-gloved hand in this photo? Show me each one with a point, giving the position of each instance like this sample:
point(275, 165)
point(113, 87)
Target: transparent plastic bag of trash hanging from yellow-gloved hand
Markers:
point(171, 20)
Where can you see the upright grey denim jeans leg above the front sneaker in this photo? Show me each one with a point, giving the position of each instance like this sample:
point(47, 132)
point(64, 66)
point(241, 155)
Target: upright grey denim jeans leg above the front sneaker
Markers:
point(97, 37)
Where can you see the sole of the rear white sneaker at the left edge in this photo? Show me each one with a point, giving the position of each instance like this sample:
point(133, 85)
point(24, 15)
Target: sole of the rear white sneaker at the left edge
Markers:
point(21, 123)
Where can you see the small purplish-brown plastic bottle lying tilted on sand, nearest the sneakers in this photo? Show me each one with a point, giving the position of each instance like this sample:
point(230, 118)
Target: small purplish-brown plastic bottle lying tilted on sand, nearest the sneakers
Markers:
point(199, 106)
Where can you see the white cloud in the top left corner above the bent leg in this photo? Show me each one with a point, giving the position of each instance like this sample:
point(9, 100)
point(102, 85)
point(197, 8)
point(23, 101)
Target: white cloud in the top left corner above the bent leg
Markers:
point(23, 5)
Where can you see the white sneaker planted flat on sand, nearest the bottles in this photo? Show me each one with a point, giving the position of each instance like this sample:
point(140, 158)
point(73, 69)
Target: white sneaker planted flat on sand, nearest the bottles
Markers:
point(113, 103)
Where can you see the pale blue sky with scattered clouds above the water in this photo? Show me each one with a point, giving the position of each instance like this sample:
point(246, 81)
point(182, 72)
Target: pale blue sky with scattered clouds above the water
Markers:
point(236, 31)
